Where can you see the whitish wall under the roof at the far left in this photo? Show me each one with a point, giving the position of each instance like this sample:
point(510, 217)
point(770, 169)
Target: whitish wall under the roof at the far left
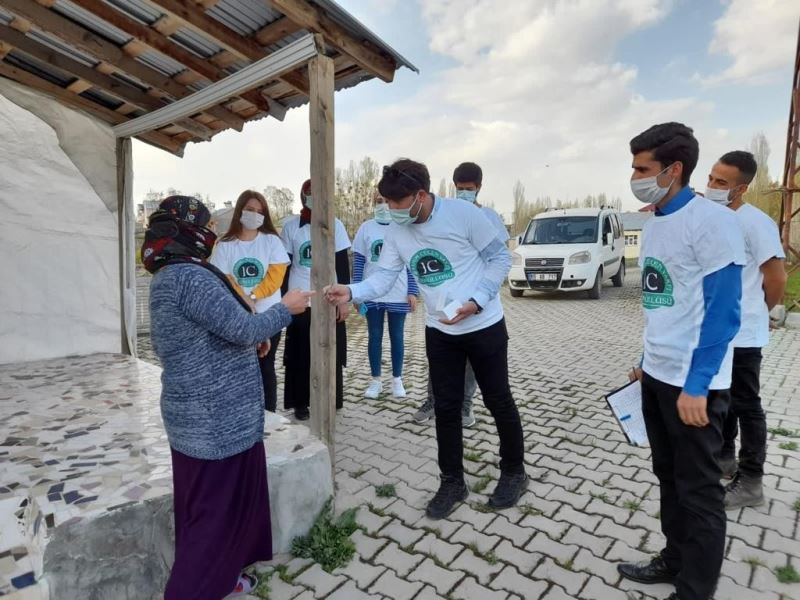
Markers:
point(59, 252)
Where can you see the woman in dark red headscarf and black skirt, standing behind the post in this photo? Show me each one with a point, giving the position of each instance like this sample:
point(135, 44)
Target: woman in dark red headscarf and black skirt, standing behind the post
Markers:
point(296, 236)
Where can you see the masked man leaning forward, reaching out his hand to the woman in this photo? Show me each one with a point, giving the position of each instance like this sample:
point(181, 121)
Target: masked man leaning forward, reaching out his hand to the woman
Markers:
point(459, 264)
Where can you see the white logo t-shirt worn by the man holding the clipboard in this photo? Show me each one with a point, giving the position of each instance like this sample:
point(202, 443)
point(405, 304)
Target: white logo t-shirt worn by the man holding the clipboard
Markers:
point(678, 250)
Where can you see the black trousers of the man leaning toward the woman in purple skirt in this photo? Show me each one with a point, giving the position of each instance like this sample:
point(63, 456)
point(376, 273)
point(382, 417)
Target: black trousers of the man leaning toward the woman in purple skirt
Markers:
point(487, 350)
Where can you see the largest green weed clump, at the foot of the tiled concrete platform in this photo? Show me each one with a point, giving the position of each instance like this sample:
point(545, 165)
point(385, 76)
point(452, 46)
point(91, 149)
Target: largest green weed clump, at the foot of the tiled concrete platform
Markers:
point(328, 542)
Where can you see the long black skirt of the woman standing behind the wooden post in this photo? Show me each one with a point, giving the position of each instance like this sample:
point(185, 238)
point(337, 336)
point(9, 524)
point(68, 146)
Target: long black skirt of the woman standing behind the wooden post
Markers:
point(297, 362)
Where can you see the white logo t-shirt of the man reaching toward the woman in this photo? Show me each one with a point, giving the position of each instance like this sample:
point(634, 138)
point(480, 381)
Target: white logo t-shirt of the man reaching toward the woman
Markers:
point(443, 255)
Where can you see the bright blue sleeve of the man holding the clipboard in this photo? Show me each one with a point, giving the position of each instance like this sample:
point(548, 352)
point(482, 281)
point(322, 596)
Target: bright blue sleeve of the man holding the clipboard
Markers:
point(722, 293)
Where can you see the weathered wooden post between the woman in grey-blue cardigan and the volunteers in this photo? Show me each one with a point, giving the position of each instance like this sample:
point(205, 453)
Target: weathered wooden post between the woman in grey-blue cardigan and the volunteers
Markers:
point(323, 316)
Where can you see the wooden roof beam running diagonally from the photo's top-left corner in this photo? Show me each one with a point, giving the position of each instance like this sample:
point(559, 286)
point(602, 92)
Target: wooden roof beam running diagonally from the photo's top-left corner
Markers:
point(83, 39)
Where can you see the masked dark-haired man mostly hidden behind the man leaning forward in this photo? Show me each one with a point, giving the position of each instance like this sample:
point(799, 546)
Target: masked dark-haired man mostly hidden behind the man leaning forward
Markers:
point(468, 179)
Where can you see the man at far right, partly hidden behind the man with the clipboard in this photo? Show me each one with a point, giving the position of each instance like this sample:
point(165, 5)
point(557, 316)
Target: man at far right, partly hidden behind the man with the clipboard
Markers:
point(763, 283)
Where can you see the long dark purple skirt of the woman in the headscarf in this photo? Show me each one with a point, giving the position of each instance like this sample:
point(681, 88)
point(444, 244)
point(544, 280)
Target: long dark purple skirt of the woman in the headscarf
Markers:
point(222, 522)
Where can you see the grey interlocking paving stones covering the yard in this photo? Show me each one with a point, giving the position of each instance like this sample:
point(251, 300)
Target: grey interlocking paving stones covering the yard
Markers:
point(593, 501)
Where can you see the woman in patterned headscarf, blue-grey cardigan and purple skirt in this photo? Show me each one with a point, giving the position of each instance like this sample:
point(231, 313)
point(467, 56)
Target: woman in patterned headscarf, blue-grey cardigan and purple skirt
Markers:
point(205, 335)
